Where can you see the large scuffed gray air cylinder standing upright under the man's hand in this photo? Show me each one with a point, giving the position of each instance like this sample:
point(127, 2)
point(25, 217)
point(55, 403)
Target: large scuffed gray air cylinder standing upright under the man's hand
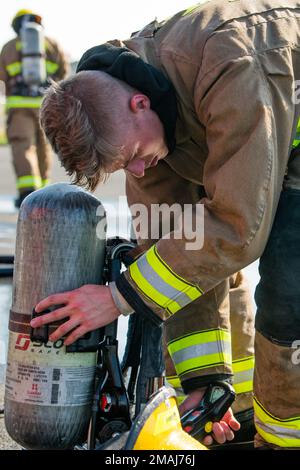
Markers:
point(59, 248)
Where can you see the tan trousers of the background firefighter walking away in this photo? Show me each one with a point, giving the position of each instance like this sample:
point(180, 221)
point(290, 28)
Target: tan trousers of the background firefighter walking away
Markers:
point(32, 154)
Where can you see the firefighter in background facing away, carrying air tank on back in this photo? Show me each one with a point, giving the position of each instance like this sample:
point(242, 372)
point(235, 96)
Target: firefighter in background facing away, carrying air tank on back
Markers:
point(31, 152)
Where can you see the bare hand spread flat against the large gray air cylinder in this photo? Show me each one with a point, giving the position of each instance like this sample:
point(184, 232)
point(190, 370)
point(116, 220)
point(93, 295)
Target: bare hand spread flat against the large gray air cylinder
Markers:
point(88, 308)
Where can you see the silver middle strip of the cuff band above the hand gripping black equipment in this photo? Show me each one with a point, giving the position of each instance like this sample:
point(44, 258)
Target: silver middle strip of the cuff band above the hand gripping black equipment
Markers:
point(191, 352)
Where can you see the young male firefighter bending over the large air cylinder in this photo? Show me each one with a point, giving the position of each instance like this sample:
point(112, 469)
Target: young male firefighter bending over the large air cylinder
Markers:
point(199, 109)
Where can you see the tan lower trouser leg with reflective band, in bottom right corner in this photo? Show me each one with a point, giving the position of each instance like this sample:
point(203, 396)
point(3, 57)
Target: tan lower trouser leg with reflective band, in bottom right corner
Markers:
point(277, 395)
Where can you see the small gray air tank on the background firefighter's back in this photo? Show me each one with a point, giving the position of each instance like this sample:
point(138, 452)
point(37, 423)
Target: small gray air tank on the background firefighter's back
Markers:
point(33, 54)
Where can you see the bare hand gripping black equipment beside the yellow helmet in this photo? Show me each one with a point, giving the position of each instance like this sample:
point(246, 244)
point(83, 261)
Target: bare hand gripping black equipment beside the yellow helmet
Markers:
point(222, 431)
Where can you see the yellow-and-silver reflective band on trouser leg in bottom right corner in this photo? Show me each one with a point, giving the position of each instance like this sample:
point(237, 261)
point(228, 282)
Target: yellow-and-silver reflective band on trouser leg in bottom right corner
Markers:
point(281, 432)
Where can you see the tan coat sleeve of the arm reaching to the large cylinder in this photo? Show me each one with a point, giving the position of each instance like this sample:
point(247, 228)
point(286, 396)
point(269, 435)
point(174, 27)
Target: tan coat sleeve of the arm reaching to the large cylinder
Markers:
point(245, 132)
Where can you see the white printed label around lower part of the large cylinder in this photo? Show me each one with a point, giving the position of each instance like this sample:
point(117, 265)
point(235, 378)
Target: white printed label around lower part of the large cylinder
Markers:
point(56, 386)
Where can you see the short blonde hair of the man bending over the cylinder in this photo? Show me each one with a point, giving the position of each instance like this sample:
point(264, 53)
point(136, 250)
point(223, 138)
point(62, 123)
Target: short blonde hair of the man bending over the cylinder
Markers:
point(81, 121)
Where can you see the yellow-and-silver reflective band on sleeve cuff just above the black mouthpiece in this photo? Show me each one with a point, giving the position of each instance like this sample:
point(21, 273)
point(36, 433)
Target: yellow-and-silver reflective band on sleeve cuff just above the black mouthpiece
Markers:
point(201, 350)
